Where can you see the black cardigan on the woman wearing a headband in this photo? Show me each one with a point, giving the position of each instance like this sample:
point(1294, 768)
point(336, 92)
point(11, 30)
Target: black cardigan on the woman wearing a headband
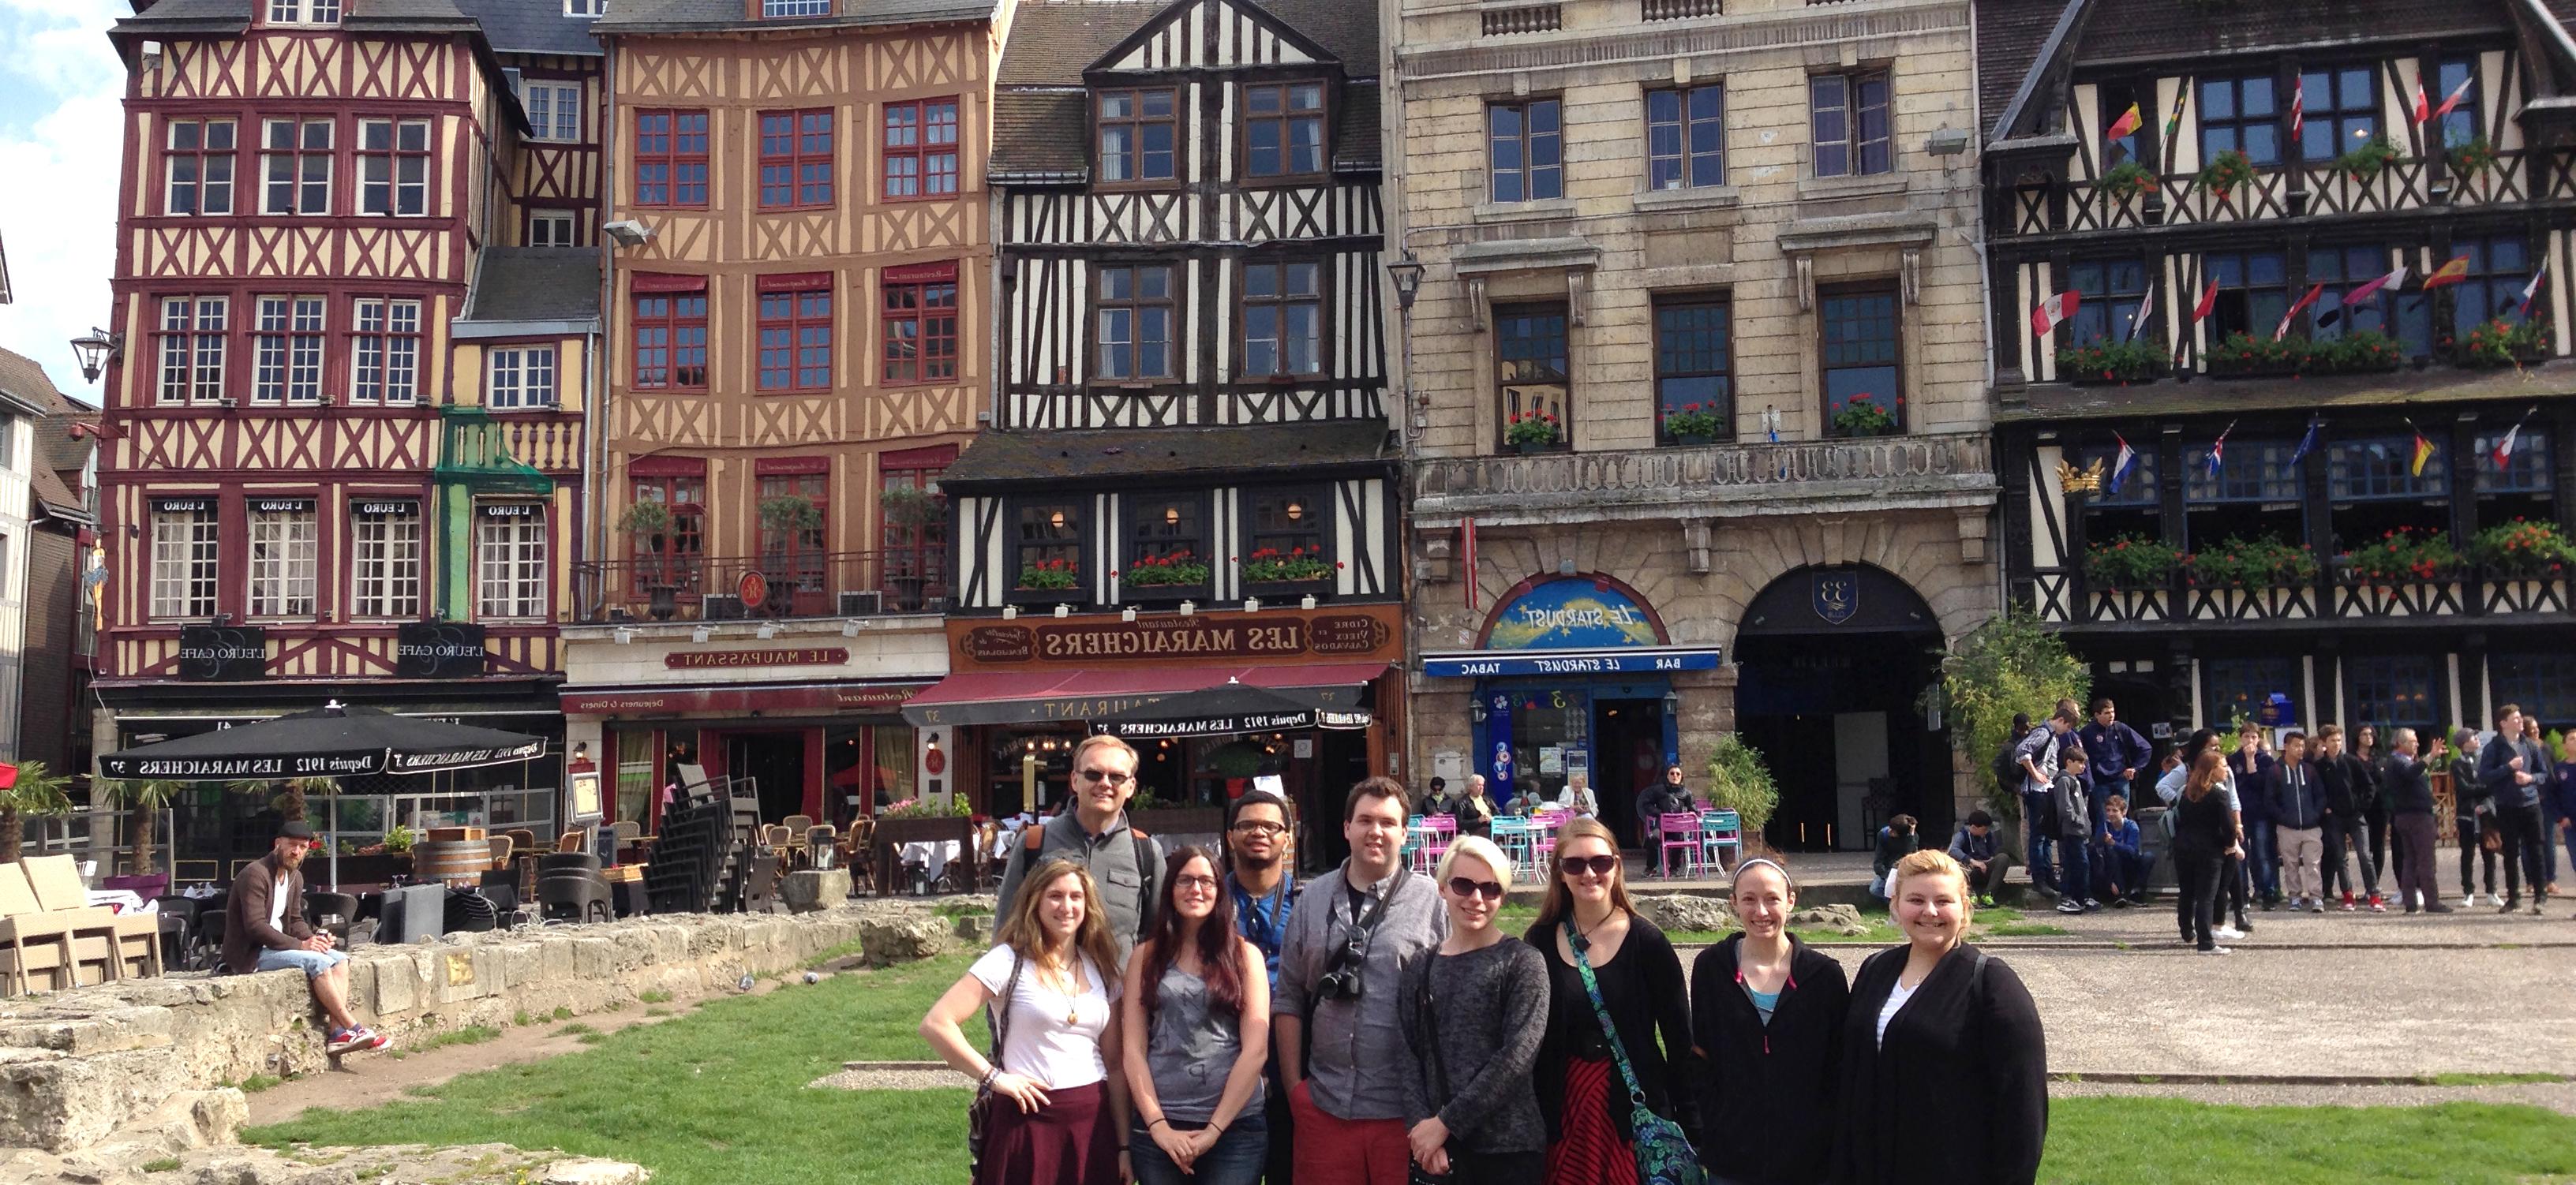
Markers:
point(1766, 1094)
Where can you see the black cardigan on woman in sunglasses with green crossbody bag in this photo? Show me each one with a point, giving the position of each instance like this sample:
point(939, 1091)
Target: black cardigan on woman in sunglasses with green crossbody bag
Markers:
point(1645, 996)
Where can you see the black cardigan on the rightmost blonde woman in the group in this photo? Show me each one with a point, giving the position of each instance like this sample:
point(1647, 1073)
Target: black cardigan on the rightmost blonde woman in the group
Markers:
point(1959, 1091)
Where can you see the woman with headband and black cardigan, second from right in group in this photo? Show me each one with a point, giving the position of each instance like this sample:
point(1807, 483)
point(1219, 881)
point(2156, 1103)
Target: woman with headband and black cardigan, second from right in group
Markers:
point(1766, 1014)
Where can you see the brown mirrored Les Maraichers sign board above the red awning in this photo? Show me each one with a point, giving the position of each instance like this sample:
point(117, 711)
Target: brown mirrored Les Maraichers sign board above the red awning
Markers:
point(1361, 632)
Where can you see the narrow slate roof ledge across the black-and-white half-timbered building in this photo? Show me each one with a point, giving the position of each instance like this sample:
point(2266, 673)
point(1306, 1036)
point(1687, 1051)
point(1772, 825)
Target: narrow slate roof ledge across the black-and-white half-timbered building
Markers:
point(1168, 452)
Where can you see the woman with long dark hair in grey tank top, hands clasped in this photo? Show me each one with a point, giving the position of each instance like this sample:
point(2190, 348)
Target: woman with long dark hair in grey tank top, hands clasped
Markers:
point(1197, 1037)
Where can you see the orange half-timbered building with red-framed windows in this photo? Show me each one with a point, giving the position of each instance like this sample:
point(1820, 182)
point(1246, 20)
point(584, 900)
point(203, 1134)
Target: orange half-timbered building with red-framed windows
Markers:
point(797, 300)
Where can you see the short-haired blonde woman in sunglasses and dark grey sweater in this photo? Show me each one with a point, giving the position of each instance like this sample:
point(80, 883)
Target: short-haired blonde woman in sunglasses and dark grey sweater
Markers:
point(1472, 1014)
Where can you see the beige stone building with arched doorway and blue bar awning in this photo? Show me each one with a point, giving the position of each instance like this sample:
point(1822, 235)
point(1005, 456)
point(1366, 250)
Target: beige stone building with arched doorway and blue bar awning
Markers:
point(1730, 264)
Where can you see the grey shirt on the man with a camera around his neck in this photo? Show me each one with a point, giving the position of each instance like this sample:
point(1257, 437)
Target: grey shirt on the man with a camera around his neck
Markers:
point(1359, 1063)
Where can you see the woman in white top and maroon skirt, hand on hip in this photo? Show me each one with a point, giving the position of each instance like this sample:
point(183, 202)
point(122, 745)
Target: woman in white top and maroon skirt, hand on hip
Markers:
point(1057, 1094)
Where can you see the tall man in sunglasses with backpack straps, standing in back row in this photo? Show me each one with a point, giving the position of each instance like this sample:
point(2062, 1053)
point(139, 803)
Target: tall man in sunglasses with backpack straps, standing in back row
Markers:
point(1096, 833)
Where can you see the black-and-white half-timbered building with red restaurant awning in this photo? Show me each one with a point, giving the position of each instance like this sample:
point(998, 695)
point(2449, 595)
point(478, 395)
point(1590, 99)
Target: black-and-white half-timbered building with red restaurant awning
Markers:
point(1189, 424)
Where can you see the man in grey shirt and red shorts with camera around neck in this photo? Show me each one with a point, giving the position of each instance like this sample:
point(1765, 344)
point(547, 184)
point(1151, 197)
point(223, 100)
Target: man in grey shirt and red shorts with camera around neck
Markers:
point(1338, 985)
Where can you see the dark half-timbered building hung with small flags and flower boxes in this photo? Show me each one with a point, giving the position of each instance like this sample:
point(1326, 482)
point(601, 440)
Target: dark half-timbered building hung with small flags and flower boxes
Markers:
point(2307, 439)
